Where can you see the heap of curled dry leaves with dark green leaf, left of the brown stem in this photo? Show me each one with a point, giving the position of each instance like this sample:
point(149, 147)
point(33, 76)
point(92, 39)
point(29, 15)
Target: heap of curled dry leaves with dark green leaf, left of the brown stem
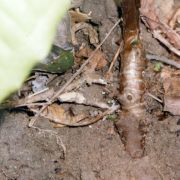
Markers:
point(59, 61)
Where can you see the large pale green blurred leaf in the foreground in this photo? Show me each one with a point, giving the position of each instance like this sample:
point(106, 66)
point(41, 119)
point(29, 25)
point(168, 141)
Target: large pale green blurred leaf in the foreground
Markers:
point(27, 31)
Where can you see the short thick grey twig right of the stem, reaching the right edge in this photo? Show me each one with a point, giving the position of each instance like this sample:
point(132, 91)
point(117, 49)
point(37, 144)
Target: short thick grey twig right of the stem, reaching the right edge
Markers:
point(163, 59)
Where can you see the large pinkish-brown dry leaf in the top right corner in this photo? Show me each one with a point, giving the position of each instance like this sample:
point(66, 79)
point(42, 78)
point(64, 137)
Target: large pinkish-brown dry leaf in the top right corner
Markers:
point(156, 15)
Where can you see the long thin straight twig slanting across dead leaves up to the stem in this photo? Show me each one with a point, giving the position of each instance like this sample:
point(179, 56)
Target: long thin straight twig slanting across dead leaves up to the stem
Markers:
point(73, 77)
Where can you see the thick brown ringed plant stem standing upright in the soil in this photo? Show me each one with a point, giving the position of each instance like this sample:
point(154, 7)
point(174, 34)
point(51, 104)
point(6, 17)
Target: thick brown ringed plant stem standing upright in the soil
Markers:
point(131, 80)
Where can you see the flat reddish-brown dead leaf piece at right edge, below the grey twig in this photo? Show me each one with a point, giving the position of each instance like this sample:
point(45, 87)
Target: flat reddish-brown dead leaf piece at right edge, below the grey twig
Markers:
point(171, 84)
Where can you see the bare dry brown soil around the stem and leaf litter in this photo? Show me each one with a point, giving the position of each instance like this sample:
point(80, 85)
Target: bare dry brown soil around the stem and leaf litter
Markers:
point(94, 152)
